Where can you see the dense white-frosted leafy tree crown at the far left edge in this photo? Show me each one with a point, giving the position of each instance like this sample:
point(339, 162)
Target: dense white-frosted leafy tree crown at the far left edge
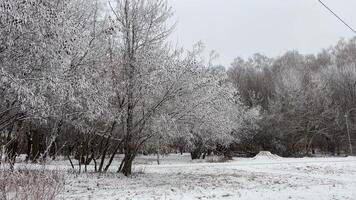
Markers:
point(41, 44)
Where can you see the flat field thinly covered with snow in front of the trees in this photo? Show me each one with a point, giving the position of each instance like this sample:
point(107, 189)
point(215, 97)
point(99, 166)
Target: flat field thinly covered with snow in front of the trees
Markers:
point(178, 177)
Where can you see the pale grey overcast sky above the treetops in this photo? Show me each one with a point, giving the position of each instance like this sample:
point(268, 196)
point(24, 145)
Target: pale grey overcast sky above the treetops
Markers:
point(271, 27)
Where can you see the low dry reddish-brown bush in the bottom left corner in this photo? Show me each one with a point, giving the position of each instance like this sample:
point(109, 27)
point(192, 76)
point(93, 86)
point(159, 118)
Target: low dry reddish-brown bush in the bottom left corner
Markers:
point(30, 185)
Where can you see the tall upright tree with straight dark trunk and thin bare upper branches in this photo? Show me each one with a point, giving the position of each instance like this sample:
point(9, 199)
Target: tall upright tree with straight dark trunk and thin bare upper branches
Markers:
point(141, 27)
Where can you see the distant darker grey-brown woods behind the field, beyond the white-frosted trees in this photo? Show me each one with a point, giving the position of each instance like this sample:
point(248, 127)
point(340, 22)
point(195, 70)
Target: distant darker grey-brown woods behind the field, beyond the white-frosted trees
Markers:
point(307, 101)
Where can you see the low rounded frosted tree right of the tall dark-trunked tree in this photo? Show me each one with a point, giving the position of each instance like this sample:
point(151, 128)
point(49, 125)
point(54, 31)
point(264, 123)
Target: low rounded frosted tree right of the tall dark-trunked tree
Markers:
point(205, 112)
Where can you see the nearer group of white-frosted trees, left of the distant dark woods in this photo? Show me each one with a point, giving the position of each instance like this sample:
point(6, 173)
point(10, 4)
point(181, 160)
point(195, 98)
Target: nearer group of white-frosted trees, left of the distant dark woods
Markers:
point(91, 80)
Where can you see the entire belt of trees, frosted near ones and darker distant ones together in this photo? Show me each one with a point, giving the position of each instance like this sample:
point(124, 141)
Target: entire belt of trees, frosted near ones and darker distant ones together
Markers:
point(90, 80)
